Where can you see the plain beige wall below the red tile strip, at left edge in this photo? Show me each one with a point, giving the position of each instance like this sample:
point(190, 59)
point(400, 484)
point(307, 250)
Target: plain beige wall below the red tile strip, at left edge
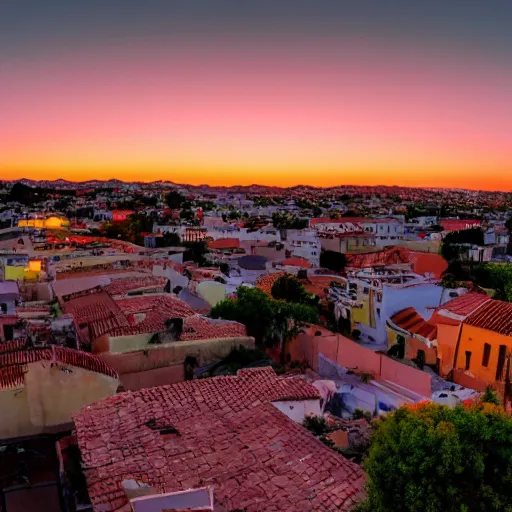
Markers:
point(49, 397)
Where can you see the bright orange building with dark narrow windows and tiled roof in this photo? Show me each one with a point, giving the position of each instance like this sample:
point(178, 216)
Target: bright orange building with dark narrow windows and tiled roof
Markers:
point(484, 346)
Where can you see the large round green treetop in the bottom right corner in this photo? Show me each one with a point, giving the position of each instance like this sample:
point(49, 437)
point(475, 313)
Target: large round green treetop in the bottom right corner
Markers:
point(439, 459)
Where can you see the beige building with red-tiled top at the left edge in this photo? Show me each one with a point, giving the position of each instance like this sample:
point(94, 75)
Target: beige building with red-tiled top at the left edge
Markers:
point(41, 388)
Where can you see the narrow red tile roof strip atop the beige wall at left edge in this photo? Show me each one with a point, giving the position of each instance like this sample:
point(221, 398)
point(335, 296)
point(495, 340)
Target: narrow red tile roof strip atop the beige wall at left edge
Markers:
point(14, 359)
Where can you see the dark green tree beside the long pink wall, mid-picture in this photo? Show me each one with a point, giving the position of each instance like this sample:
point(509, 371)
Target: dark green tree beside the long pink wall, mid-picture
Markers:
point(269, 321)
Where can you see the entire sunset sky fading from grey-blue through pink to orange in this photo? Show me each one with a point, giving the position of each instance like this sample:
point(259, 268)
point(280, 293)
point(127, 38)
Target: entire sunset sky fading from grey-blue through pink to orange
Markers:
point(324, 93)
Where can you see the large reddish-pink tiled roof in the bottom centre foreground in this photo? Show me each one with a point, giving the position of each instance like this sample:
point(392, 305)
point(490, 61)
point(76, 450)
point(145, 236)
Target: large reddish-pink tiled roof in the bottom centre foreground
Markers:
point(221, 432)
